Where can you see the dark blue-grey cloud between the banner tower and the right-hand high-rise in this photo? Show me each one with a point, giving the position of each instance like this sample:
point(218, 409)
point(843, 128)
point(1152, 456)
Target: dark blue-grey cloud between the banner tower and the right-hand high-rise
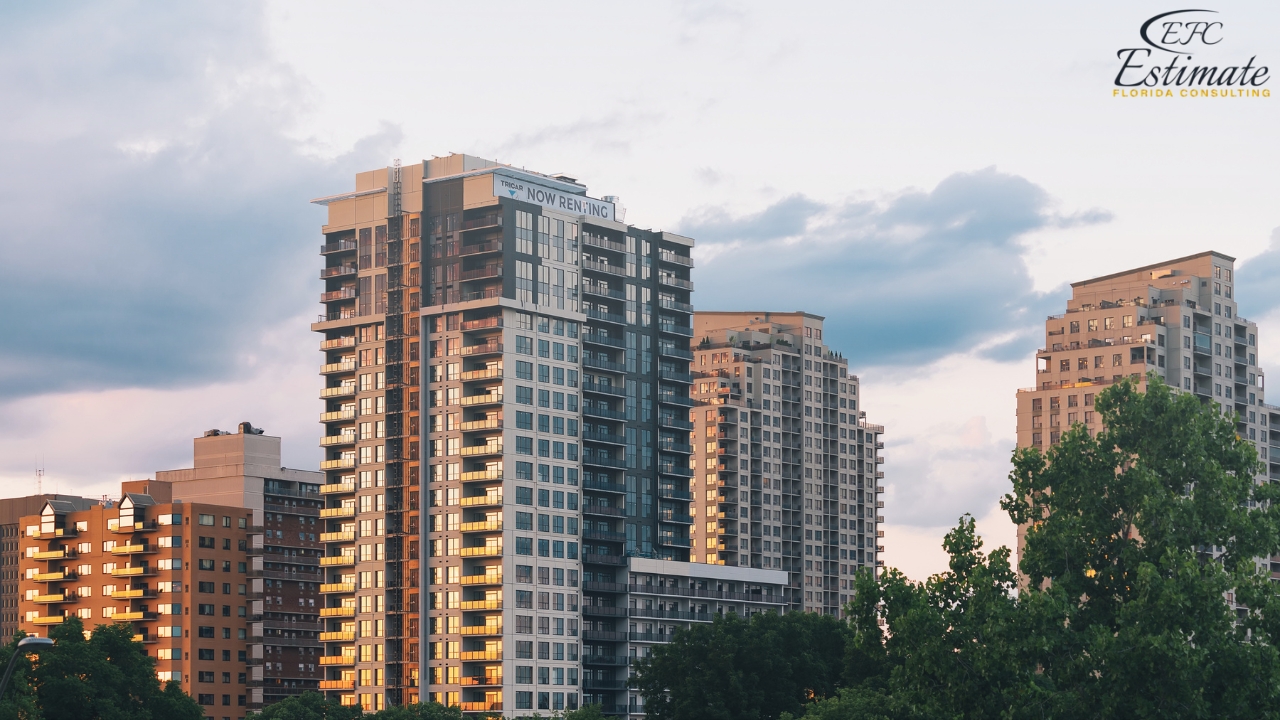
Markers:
point(907, 281)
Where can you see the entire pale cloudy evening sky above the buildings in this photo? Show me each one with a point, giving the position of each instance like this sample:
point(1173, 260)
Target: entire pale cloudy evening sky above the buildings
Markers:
point(930, 177)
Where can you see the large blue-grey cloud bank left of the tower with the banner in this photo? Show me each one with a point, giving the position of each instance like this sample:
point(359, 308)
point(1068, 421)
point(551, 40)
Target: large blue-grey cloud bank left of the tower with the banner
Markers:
point(157, 215)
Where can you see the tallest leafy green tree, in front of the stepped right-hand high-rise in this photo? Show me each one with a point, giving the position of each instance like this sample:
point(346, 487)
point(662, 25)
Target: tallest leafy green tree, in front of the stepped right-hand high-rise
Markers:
point(1136, 537)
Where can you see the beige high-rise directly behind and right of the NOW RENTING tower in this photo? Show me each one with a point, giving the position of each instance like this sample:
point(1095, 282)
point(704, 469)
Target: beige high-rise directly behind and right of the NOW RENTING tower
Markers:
point(788, 464)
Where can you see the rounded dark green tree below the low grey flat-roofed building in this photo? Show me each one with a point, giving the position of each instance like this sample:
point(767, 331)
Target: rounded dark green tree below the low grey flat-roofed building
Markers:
point(737, 669)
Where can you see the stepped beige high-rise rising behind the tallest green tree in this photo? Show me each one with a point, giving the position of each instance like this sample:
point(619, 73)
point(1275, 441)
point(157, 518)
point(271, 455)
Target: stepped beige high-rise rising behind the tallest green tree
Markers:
point(1178, 320)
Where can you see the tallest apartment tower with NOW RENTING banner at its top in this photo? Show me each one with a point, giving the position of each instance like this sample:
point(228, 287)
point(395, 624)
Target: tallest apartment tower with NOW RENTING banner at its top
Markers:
point(499, 341)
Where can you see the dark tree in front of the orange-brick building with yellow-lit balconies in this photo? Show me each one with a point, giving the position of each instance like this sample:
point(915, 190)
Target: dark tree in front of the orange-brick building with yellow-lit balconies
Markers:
point(106, 677)
